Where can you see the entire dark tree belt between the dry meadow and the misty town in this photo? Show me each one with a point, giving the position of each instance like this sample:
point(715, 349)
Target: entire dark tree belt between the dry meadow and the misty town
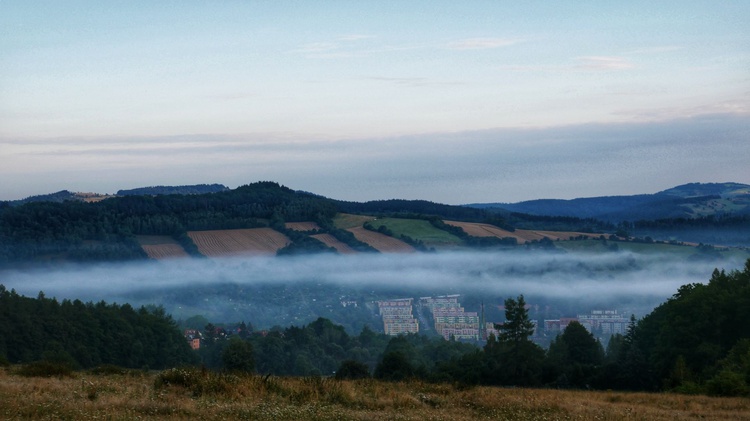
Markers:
point(696, 342)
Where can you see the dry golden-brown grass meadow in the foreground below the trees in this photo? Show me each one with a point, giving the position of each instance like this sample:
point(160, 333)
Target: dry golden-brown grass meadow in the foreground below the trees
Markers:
point(189, 395)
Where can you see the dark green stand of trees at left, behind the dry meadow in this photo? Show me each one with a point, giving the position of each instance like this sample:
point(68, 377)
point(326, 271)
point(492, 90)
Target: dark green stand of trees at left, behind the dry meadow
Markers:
point(88, 334)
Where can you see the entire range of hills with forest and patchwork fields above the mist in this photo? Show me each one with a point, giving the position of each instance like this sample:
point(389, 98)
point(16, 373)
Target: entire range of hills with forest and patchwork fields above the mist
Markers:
point(84, 227)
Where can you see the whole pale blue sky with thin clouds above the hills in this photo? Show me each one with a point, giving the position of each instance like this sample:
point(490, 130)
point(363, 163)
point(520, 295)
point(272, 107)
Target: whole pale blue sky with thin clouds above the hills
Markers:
point(454, 102)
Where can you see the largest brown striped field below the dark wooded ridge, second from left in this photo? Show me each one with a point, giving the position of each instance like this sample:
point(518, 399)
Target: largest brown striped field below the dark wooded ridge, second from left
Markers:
point(253, 241)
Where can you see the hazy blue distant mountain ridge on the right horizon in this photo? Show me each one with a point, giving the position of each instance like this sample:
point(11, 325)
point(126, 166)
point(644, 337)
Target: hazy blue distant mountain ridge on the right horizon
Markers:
point(693, 200)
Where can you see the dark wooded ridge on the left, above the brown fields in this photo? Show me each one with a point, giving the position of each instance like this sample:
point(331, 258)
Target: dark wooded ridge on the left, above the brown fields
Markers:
point(105, 230)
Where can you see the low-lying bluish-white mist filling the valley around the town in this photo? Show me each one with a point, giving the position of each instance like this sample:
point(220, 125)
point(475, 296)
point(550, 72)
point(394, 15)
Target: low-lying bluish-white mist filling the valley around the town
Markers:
point(294, 290)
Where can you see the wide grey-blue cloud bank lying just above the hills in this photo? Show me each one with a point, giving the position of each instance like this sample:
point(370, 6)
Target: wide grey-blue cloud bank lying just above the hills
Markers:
point(494, 165)
